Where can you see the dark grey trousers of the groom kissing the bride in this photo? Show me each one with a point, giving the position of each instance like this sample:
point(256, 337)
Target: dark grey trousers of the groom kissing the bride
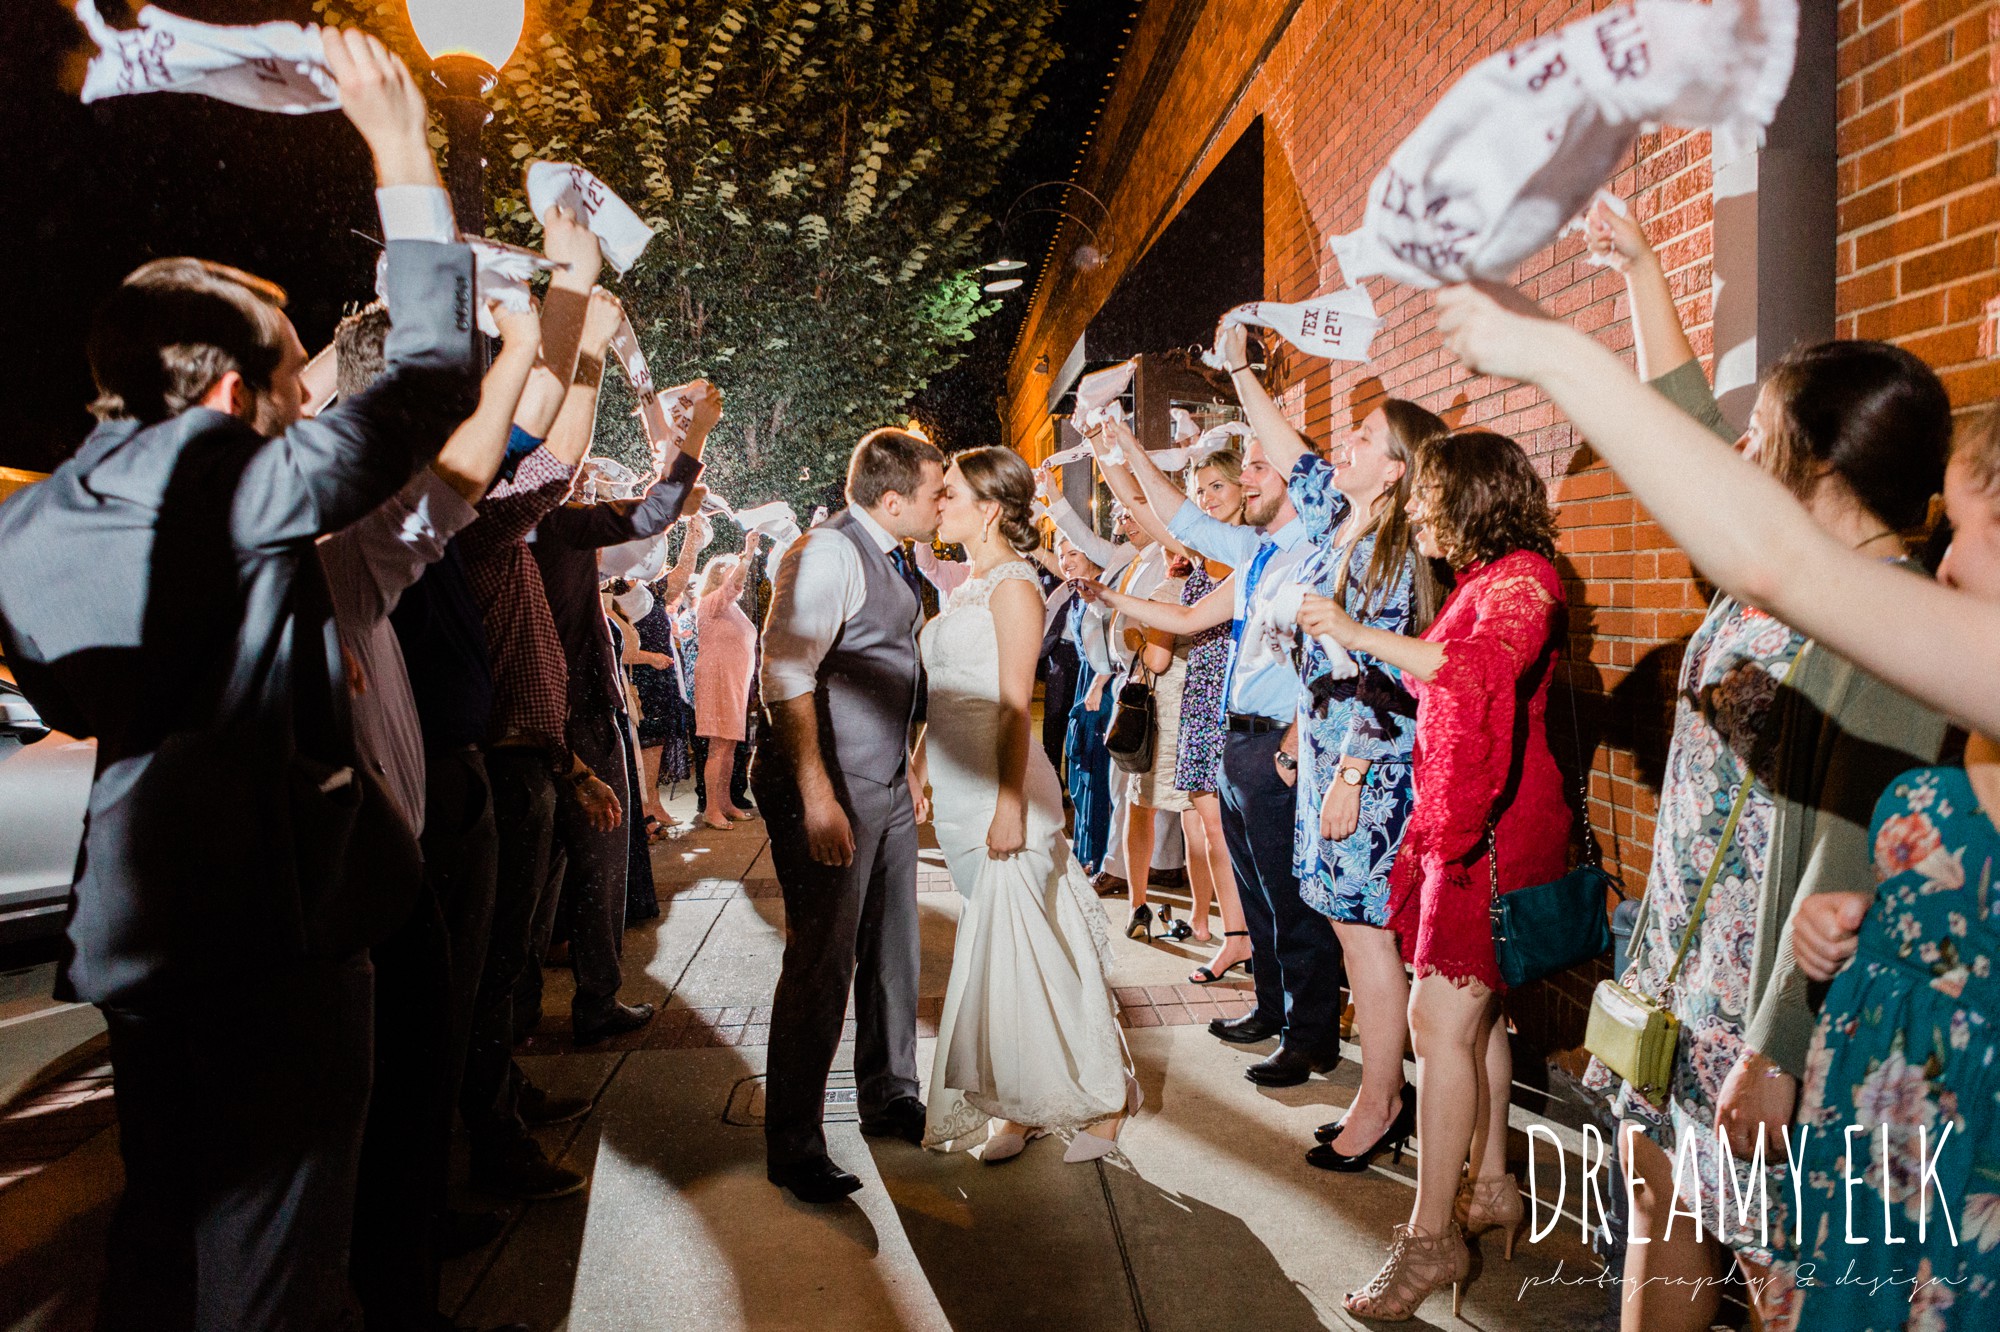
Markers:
point(839, 917)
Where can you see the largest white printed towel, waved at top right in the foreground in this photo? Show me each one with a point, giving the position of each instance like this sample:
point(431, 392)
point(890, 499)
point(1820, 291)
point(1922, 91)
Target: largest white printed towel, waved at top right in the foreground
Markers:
point(1527, 137)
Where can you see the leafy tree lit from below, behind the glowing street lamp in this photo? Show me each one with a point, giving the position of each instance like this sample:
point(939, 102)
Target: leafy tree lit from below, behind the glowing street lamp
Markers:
point(815, 171)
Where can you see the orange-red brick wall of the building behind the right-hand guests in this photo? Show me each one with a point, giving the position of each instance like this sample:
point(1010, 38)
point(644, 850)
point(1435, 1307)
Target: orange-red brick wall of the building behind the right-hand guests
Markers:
point(1347, 81)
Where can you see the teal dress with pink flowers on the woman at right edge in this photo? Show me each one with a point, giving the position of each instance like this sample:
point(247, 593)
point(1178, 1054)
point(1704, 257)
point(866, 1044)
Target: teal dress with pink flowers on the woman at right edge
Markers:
point(1907, 1041)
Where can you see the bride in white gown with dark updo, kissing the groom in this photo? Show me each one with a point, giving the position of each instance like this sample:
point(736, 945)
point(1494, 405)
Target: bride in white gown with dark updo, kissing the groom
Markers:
point(1029, 1041)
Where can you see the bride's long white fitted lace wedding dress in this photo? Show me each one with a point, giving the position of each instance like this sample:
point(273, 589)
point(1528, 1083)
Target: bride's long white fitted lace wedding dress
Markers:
point(1029, 1029)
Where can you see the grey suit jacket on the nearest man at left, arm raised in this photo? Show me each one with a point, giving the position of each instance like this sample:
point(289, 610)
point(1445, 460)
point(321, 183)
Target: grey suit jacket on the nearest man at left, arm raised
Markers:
point(159, 593)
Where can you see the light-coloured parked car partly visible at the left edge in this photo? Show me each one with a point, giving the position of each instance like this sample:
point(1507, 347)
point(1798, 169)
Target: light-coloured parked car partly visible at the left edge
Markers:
point(45, 789)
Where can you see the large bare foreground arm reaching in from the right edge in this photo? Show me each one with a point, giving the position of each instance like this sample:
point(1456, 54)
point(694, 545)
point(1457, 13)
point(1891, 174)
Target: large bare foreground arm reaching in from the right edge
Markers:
point(1741, 527)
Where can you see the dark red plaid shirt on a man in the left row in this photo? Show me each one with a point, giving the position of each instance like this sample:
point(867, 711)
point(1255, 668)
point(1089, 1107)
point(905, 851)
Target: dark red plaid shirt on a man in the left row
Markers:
point(531, 679)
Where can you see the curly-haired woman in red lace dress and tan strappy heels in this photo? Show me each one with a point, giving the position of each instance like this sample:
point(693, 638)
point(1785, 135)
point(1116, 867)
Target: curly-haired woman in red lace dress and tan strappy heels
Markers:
point(1481, 679)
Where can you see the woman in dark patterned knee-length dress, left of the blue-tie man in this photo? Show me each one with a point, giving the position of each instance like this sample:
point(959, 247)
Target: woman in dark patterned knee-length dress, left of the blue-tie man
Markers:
point(1217, 491)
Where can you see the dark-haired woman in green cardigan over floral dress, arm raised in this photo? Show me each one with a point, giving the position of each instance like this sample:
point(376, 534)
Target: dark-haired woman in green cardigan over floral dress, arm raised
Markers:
point(1859, 433)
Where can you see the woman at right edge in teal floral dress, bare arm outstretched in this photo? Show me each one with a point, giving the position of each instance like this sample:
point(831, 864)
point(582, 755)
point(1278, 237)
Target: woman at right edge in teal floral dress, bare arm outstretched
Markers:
point(1757, 541)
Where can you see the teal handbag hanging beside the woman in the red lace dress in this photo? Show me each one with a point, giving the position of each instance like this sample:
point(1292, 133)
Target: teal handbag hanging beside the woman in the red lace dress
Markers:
point(1553, 927)
